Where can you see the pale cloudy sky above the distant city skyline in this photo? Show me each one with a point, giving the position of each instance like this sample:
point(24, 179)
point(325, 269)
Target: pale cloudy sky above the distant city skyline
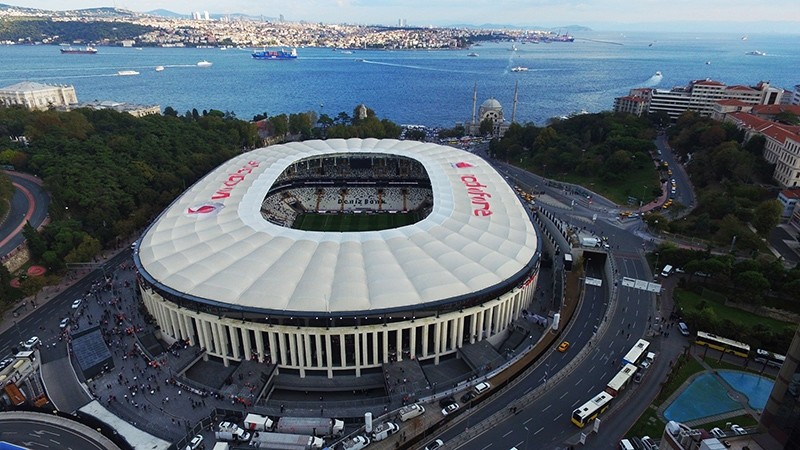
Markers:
point(750, 16)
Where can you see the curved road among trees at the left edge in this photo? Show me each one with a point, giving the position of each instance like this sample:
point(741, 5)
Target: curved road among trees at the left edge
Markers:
point(29, 204)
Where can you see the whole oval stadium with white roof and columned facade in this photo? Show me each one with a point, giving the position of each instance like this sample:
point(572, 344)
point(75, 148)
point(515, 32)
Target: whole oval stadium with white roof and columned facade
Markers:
point(336, 257)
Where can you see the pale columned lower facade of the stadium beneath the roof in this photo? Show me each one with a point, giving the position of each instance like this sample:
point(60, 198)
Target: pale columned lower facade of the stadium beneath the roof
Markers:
point(347, 349)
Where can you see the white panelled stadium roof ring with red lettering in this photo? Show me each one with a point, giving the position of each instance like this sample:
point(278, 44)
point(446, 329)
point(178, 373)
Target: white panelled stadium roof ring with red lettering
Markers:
point(213, 245)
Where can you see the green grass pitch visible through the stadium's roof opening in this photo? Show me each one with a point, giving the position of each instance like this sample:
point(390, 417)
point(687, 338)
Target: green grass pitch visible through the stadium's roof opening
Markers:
point(353, 222)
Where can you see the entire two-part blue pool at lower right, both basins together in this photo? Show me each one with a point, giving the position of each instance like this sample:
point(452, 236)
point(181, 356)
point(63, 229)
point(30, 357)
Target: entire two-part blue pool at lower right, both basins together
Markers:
point(706, 395)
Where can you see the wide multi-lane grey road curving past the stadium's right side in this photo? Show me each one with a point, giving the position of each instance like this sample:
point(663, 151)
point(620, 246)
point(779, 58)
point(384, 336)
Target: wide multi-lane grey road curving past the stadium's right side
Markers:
point(545, 422)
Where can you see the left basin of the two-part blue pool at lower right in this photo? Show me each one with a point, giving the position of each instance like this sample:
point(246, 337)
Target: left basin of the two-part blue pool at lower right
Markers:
point(704, 397)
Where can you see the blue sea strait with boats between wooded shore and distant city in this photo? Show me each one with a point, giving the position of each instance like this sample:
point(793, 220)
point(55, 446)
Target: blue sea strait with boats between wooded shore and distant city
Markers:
point(425, 87)
